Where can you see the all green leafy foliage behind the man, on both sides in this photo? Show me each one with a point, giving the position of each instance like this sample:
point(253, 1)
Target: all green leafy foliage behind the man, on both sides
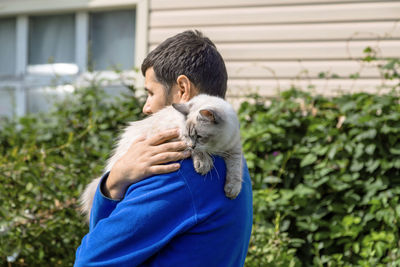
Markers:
point(325, 173)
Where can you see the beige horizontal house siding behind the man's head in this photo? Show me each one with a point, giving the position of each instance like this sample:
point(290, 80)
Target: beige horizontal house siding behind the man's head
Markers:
point(271, 45)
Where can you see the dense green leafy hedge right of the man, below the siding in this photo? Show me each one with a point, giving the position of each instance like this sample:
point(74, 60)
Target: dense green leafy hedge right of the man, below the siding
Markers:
point(326, 179)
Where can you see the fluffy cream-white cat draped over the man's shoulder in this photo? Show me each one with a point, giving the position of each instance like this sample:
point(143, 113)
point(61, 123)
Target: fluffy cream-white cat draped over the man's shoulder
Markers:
point(208, 125)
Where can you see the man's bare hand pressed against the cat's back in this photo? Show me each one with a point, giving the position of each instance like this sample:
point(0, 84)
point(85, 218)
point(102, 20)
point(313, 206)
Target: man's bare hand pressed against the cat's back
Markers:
point(145, 157)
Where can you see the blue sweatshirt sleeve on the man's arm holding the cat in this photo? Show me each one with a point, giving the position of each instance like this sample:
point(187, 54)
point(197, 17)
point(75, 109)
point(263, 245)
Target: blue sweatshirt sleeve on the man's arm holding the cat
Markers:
point(128, 232)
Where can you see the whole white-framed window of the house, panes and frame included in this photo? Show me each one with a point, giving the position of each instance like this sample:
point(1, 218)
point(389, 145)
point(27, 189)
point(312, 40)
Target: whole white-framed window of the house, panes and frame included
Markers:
point(49, 44)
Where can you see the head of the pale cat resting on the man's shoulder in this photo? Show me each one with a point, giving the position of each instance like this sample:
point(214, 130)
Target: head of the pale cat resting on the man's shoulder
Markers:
point(211, 123)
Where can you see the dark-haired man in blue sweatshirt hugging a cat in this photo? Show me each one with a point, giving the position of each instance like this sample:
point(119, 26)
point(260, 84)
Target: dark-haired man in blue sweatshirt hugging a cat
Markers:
point(150, 213)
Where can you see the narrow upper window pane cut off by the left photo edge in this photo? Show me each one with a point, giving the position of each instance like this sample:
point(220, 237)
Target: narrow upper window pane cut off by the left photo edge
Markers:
point(8, 45)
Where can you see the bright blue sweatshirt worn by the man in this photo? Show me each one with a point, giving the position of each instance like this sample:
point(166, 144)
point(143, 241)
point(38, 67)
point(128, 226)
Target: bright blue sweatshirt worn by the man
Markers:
point(175, 219)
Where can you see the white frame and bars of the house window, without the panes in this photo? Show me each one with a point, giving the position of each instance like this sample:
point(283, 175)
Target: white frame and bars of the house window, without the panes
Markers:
point(22, 9)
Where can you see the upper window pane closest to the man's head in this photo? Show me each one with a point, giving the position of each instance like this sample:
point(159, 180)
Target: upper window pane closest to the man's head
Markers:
point(112, 39)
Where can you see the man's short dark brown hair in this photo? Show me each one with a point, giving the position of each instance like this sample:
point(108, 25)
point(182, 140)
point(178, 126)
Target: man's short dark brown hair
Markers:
point(191, 54)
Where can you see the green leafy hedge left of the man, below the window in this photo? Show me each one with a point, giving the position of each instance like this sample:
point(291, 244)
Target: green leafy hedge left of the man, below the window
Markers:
point(44, 165)
